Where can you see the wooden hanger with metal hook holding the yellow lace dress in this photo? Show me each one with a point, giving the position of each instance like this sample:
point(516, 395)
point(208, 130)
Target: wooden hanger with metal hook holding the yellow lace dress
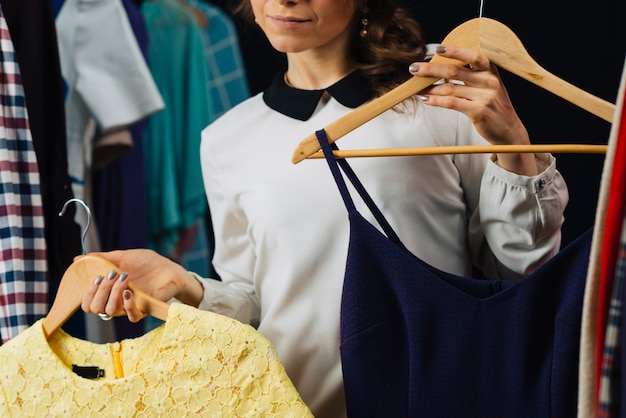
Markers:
point(79, 276)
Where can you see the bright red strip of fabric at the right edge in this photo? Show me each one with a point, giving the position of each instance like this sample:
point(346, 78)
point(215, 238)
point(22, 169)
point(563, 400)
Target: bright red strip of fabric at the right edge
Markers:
point(610, 243)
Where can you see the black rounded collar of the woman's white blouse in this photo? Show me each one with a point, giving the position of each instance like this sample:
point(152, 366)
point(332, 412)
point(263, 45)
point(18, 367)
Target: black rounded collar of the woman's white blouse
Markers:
point(351, 91)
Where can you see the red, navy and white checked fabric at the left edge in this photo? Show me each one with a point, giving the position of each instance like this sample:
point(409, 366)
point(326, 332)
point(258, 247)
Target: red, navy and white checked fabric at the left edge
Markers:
point(23, 266)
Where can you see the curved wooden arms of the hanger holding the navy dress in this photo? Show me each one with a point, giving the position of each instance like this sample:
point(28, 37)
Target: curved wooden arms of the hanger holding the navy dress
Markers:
point(494, 40)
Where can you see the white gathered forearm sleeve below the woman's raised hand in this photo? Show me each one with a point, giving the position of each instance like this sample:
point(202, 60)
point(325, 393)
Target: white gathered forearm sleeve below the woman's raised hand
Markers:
point(517, 225)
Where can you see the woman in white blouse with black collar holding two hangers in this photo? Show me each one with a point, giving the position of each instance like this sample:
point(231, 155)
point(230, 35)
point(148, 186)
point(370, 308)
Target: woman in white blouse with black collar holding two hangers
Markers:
point(281, 229)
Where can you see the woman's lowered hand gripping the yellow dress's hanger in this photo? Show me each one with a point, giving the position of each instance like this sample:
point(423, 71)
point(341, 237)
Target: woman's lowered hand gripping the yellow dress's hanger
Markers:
point(150, 272)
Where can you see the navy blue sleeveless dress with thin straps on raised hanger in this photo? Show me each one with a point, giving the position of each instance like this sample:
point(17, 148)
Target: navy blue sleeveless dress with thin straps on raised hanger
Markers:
point(416, 341)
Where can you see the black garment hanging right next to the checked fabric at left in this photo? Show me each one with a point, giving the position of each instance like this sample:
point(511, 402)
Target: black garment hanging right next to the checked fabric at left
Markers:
point(33, 32)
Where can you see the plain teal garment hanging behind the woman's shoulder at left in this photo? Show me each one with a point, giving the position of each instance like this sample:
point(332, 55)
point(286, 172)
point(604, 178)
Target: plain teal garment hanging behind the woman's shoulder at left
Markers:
point(175, 192)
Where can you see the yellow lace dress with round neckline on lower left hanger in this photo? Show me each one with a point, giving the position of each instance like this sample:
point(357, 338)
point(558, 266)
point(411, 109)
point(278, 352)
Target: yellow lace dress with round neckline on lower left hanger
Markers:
point(196, 363)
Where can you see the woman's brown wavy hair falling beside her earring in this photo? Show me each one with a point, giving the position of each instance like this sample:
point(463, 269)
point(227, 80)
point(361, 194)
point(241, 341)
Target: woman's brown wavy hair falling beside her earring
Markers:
point(393, 41)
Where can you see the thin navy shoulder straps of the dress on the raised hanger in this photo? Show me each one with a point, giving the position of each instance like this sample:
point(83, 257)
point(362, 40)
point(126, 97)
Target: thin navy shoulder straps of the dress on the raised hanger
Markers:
point(334, 165)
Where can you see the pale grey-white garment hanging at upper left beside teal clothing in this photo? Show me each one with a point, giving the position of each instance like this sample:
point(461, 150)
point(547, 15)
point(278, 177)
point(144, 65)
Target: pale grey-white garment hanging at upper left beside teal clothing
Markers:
point(107, 77)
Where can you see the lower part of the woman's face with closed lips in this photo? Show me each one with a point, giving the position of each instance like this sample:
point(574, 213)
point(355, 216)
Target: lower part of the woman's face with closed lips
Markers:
point(302, 25)
